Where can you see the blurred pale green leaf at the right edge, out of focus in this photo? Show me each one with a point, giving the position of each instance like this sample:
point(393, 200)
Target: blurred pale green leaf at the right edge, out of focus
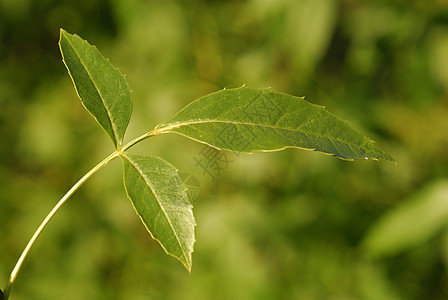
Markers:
point(410, 224)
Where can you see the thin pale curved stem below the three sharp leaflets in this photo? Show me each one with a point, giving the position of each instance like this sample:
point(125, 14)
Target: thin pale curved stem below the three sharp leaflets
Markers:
point(74, 188)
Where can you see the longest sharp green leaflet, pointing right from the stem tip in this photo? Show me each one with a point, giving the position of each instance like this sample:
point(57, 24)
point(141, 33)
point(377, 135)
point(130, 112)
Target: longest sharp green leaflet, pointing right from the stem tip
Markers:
point(246, 120)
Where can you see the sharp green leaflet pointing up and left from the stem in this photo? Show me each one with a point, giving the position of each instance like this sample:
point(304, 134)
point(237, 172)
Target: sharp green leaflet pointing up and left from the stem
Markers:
point(103, 90)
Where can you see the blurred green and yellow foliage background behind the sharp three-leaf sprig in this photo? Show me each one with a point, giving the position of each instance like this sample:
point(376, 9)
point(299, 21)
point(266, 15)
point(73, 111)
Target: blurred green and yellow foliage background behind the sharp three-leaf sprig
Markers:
point(284, 225)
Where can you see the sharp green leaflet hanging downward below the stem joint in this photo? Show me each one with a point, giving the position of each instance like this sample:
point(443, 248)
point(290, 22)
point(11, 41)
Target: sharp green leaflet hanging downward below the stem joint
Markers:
point(160, 199)
